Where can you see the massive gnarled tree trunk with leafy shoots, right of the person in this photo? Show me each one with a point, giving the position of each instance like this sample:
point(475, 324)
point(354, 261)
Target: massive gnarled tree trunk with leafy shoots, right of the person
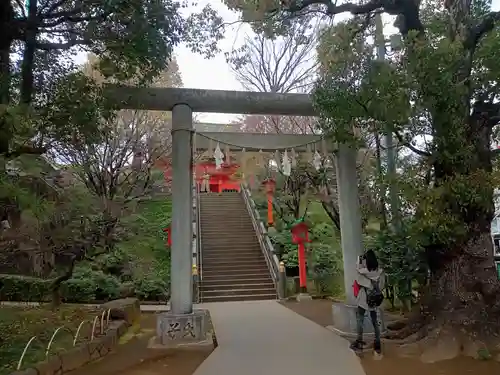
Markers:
point(464, 287)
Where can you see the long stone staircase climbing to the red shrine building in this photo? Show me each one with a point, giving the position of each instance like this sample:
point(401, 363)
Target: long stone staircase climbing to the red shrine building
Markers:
point(233, 265)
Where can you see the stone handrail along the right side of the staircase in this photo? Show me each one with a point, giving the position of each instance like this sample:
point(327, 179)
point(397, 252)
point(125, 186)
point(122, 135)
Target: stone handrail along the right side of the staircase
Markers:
point(265, 243)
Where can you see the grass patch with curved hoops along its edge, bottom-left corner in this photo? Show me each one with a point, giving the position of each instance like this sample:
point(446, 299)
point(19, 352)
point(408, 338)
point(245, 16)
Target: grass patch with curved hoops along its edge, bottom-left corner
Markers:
point(19, 324)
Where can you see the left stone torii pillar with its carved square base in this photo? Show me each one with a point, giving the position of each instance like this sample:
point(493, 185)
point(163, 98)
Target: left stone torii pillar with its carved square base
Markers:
point(182, 324)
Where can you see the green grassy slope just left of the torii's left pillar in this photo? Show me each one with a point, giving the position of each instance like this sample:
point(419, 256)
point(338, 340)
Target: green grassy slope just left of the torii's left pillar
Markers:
point(146, 241)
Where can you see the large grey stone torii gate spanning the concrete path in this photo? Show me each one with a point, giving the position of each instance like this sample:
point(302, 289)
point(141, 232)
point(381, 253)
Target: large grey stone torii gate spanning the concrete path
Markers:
point(183, 102)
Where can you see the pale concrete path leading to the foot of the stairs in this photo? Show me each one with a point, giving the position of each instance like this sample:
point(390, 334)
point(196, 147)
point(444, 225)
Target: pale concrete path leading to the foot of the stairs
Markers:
point(266, 338)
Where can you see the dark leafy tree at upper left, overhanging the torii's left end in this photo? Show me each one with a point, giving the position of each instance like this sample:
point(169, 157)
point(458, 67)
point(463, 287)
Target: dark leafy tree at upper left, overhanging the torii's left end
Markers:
point(51, 31)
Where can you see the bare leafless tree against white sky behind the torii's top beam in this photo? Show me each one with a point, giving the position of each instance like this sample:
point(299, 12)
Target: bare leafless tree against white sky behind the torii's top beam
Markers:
point(283, 64)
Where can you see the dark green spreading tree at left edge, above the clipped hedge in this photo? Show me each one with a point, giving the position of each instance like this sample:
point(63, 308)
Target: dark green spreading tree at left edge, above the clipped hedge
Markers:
point(59, 228)
